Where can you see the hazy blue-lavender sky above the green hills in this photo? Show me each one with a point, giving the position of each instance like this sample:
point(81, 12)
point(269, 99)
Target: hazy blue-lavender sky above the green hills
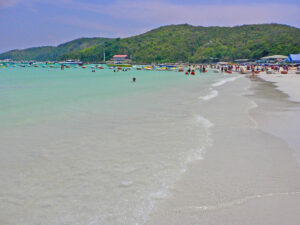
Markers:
point(28, 23)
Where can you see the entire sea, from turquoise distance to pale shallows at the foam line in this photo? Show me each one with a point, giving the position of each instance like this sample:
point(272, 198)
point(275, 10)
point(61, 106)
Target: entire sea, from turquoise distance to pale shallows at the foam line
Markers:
point(79, 147)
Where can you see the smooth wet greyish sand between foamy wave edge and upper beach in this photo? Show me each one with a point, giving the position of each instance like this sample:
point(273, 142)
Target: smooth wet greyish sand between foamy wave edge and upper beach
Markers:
point(248, 175)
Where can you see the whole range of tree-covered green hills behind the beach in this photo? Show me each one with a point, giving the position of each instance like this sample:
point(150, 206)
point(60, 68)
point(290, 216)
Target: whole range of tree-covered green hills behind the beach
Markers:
point(176, 43)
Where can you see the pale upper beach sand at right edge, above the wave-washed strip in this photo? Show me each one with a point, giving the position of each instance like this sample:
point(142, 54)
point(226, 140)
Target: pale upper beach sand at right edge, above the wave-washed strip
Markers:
point(282, 110)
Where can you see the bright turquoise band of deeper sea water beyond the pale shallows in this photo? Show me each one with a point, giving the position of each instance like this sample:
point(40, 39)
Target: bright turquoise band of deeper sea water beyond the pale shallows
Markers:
point(29, 94)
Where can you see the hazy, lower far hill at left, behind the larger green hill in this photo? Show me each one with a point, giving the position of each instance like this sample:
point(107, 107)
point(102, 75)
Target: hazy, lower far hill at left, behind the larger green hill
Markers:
point(51, 52)
